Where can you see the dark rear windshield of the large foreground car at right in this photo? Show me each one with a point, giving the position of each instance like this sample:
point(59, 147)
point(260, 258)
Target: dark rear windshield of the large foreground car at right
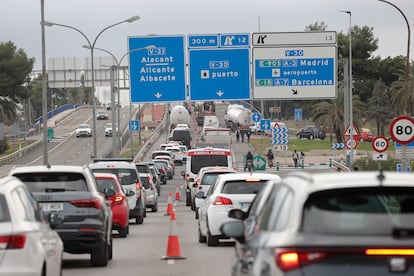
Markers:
point(376, 211)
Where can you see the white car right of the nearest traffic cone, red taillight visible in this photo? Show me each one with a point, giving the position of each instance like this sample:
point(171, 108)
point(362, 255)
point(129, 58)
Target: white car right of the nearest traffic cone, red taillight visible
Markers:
point(230, 191)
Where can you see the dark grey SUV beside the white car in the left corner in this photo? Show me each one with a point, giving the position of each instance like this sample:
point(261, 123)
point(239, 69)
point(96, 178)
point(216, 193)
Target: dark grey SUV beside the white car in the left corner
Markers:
point(71, 191)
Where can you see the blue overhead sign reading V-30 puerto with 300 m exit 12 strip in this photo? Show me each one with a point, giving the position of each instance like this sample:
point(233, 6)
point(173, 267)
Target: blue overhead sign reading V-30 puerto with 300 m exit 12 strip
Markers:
point(219, 67)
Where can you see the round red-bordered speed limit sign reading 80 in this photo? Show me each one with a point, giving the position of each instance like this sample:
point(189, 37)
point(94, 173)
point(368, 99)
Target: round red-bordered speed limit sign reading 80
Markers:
point(402, 130)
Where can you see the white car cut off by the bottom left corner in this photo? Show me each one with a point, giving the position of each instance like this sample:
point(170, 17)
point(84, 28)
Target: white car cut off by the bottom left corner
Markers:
point(28, 245)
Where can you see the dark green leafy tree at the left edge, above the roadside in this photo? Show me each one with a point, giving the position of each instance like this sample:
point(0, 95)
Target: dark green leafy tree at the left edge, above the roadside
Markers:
point(15, 68)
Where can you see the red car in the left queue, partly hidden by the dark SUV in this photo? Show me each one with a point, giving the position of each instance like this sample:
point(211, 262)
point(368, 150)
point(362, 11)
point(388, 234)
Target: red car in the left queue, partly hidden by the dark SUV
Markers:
point(118, 202)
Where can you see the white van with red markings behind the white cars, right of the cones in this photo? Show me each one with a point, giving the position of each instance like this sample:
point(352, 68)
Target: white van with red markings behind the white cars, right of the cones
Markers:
point(204, 157)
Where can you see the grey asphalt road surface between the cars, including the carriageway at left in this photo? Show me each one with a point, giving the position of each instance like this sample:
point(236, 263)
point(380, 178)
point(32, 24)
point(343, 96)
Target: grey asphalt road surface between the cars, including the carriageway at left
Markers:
point(140, 253)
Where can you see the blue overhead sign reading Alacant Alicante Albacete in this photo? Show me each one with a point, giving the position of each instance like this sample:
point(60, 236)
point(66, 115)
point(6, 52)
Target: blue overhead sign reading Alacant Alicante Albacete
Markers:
point(158, 74)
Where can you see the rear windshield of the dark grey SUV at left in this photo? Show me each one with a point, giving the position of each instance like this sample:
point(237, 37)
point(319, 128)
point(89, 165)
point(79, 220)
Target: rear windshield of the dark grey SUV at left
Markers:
point(53, 181)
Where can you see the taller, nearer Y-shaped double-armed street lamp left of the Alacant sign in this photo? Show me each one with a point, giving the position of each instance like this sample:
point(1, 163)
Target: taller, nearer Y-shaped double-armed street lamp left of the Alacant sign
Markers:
point(91, 47)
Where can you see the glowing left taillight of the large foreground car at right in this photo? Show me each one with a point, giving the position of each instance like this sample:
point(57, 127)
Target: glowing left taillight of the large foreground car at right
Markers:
point(290, 260)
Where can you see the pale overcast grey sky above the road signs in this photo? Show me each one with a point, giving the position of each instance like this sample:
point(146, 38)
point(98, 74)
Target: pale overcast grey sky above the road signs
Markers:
point(20, 21)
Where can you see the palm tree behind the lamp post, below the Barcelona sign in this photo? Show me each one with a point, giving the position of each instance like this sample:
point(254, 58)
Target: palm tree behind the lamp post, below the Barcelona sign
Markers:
point(331, 114)
